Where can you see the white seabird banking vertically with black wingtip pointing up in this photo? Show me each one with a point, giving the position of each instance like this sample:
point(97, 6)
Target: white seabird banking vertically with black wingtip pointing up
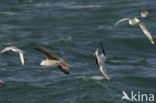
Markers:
point(100, 61)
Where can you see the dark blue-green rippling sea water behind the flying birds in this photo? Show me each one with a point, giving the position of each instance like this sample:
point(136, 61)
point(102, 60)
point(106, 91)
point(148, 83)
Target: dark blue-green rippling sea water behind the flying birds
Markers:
point(72, 29)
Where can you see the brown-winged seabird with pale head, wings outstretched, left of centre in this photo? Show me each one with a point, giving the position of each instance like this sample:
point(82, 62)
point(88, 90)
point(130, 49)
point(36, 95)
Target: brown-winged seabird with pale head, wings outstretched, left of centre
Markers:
point(53, 60)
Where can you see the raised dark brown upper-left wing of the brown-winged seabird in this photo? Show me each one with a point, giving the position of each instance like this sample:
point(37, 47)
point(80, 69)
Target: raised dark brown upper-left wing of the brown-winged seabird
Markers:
point(48, 54)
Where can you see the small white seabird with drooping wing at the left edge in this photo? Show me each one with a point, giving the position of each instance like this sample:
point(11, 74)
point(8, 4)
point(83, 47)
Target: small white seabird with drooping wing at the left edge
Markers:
point(15, 49)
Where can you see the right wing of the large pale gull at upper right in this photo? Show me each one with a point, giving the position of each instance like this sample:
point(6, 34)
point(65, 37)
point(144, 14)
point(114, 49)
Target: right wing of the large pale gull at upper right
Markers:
point(146, 32)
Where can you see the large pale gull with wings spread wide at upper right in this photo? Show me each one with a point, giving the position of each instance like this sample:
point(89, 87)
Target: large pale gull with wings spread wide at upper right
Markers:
point(134, 21)
